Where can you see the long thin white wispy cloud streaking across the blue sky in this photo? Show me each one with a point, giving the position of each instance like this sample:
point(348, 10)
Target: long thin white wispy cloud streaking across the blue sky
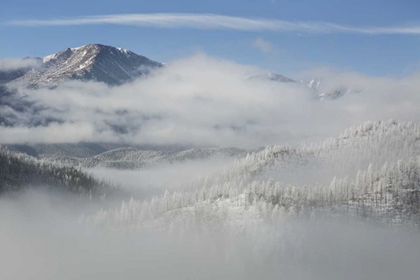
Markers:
point(214, 21)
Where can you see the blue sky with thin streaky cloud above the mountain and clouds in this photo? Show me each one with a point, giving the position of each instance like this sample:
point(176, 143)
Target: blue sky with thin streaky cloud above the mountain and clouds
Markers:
point(384, 36)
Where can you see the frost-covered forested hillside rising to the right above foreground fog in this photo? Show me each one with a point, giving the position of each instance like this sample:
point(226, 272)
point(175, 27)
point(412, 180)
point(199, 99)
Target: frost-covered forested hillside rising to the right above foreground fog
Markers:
point(386, 190)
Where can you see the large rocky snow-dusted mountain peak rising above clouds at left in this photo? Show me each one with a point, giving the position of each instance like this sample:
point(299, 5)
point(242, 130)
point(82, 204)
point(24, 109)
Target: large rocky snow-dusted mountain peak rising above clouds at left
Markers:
point(93, 62)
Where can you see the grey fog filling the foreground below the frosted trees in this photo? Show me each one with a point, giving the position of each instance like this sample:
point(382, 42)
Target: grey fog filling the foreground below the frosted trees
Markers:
point(42, 237)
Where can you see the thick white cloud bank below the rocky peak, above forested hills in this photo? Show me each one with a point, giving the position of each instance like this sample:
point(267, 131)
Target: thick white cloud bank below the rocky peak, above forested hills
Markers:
point(206, 101)
